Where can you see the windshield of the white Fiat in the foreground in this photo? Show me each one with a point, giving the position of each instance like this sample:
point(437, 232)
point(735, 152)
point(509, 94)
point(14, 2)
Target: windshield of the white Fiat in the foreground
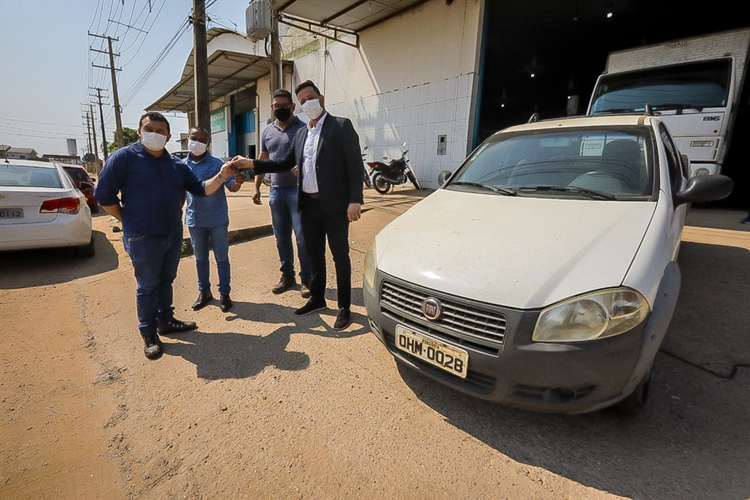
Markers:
point(594, 163)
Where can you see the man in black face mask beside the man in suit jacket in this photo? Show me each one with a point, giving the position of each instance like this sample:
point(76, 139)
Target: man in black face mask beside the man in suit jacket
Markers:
point(275, 141)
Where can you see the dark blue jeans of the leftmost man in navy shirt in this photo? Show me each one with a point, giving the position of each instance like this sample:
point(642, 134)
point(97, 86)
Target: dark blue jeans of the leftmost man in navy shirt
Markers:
point(155, 259)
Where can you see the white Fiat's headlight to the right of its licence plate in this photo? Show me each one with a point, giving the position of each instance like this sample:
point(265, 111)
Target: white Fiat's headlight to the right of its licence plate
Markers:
point(592, 316)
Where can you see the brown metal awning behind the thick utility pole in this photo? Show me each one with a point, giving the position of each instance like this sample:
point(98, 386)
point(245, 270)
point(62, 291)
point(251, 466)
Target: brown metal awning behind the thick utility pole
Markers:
point(228, 71)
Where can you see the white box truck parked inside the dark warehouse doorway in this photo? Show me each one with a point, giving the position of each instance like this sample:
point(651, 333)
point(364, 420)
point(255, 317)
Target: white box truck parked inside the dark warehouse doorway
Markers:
point(694, 84)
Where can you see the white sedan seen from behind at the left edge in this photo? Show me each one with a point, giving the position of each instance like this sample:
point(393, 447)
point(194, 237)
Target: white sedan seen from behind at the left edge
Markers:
point(40, 207)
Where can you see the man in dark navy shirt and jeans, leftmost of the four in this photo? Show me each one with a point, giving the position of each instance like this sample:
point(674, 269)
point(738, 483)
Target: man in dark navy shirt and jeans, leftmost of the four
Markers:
point(143, 186)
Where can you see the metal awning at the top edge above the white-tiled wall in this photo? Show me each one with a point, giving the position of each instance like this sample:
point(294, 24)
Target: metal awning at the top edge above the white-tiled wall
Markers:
point(353, 15)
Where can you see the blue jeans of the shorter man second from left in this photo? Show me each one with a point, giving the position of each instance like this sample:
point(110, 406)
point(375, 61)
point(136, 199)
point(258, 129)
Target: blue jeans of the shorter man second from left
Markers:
point(215, 237)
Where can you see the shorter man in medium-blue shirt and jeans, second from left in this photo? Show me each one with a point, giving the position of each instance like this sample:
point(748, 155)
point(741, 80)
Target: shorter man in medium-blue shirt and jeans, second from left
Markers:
point(207, 219)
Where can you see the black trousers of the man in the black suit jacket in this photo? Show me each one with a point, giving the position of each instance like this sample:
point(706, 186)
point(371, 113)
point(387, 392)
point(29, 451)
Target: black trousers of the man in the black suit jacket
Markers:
point(317, 226)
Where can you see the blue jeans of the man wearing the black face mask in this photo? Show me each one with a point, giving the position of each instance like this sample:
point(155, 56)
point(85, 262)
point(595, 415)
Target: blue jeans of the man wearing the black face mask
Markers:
point(285, 219)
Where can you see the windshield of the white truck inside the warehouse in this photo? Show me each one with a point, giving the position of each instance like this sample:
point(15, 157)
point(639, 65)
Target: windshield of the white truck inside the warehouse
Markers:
point(686, 86)
